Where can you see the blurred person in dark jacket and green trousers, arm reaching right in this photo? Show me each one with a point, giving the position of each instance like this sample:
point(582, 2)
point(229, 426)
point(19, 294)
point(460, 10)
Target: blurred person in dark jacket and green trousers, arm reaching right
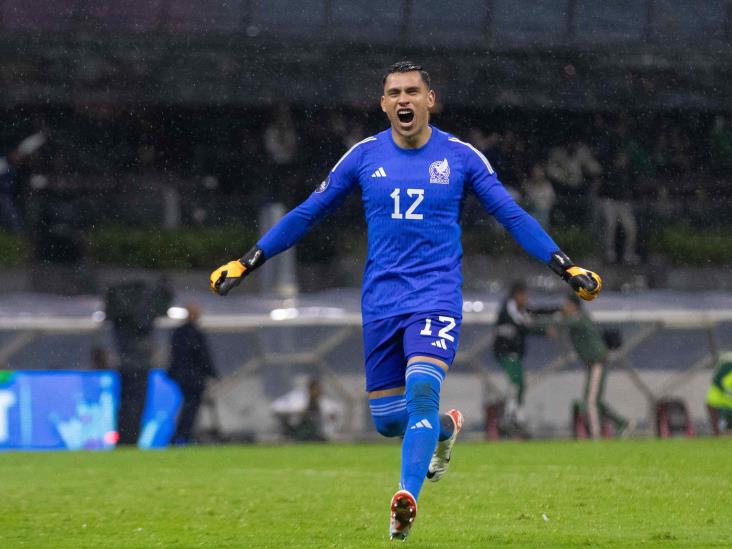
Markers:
point(515, 322)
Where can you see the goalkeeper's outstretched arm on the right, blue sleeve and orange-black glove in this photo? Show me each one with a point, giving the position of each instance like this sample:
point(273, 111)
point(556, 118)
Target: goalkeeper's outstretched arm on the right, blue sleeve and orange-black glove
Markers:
point(525, 230)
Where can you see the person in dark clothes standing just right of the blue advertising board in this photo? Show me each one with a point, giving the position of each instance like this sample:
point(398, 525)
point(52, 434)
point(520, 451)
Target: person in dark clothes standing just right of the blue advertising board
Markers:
point(190, 367)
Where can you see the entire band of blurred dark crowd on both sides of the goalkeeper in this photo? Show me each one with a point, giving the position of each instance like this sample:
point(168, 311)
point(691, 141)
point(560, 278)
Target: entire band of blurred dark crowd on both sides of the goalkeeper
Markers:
point(171, 167)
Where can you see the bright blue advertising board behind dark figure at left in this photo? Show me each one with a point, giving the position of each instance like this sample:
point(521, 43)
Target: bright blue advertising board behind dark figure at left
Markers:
point(77, 410)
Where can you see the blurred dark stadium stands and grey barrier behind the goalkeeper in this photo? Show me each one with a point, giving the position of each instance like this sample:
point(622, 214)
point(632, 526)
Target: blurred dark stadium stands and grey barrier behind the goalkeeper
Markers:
point(157, 163)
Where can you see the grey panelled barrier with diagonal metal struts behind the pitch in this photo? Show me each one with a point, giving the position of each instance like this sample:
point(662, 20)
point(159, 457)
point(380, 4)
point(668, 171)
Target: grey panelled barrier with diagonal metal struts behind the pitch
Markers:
point(666, 352)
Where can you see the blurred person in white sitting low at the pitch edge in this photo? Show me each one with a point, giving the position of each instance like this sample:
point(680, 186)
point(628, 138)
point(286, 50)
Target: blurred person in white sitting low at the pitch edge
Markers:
point(305, 414)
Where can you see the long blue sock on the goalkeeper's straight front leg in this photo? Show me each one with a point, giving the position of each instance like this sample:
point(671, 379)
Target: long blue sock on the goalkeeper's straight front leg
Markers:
point(423, 403)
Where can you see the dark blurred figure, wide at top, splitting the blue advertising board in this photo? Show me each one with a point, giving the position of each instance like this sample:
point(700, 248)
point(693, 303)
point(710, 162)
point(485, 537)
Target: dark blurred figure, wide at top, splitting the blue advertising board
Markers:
point(132, 308)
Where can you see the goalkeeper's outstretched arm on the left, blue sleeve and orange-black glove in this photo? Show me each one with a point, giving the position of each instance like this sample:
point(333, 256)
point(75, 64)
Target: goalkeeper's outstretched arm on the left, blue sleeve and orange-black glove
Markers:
point(293, 226)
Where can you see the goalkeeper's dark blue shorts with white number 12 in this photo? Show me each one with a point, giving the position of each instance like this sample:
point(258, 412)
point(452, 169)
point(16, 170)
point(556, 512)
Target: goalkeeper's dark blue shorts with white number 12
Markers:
point(390, 342)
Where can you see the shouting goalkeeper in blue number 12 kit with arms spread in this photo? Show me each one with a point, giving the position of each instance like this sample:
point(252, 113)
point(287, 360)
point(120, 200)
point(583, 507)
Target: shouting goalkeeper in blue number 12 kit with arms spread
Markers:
point(412, 178)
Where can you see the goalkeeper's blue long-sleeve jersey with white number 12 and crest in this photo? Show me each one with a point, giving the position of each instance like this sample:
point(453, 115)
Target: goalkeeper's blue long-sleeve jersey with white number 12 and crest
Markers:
point(412, 200)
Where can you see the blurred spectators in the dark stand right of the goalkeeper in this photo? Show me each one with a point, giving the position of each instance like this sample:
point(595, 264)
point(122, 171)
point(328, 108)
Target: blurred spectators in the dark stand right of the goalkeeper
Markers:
point(605, 173)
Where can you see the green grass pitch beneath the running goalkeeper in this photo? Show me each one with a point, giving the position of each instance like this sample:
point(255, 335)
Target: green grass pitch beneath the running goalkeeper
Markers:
point(672, 493)
